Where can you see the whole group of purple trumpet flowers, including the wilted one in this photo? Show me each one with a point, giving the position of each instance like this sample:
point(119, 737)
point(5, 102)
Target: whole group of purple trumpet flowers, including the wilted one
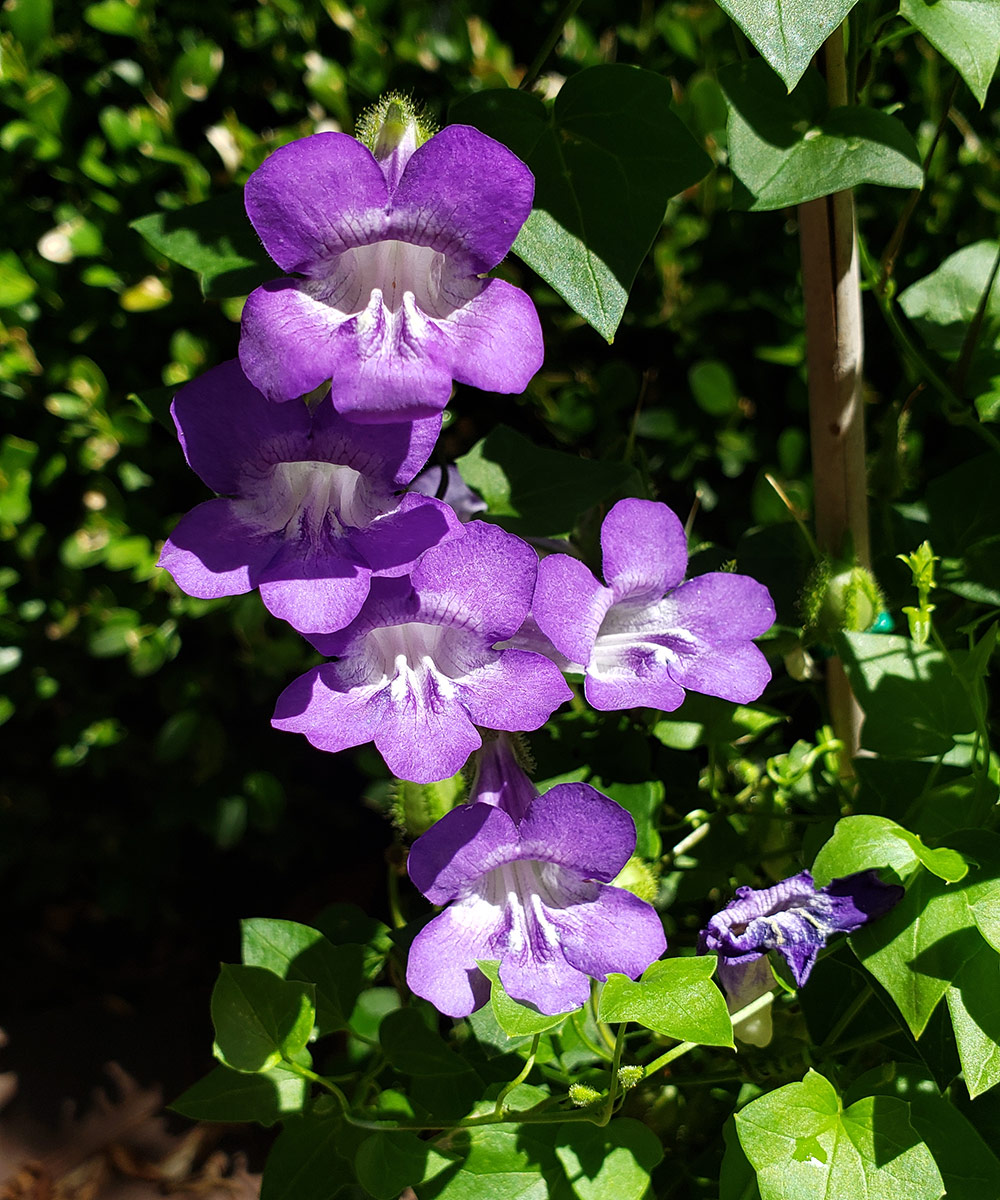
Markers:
point(438, 626)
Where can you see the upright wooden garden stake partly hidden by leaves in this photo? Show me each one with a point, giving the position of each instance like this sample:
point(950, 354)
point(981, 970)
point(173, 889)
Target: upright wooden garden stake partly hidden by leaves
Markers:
point(831, 283)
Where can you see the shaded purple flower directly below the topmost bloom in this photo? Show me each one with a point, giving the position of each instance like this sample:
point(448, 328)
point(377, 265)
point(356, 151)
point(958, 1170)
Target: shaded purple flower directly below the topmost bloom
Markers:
point(310, 511)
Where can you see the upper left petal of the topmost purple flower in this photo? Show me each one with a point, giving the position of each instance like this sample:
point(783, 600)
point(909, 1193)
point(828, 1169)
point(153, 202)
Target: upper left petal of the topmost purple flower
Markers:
point(315, 199)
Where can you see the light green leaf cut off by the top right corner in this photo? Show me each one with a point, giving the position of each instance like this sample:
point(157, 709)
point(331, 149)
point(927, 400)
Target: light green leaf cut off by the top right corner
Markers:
point(966, 32)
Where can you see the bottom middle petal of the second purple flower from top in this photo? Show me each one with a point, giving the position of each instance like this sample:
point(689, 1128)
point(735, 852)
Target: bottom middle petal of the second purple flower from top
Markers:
point(316, 590)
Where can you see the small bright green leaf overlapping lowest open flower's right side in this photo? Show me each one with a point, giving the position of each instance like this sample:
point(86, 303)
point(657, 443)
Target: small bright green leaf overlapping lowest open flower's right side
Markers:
point(675, 998)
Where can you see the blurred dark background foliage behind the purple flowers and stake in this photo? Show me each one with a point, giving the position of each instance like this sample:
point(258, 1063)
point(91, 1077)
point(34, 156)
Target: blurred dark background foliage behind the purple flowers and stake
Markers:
point(142, 789)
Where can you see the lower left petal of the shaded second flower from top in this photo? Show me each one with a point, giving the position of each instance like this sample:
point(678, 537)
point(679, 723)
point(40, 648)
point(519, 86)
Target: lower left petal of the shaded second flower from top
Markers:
point(213, 554)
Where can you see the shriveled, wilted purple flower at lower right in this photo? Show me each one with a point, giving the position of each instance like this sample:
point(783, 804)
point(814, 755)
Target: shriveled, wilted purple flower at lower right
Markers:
point(794, 919)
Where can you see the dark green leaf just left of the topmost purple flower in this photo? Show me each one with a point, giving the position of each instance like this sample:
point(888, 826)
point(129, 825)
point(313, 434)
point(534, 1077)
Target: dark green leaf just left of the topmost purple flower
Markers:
point(214, 239)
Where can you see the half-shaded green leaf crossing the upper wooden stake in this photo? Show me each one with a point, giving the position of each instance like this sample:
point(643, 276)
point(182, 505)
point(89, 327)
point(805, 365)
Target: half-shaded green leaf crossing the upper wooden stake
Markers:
point(786, 151)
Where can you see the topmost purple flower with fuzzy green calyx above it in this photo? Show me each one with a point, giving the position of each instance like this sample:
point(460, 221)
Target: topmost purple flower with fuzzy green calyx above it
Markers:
point(390, 249)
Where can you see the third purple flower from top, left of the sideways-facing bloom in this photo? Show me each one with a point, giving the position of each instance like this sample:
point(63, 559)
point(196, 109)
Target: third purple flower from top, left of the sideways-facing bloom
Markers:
point(417, 670)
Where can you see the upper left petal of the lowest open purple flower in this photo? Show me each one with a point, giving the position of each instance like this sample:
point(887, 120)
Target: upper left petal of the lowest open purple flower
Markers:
point(459, 849)
